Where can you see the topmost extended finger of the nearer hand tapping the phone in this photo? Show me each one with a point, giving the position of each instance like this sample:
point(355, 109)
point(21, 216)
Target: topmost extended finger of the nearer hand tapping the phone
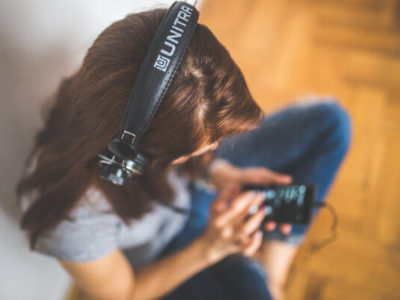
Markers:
point(238, 206)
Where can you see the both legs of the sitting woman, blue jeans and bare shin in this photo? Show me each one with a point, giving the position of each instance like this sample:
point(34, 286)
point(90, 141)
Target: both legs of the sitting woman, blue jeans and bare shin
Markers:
point(305, 141)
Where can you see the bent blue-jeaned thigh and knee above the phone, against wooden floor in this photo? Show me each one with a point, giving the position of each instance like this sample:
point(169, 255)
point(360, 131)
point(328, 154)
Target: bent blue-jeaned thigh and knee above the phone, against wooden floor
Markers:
point(307, 140)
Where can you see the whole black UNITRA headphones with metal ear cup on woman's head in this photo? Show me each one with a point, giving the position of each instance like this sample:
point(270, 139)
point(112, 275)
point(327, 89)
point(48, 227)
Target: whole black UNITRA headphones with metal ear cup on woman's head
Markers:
point(123, 159)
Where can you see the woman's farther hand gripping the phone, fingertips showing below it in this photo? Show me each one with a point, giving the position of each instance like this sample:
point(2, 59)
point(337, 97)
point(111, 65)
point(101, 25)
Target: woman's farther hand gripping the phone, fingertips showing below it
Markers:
point(227, 176)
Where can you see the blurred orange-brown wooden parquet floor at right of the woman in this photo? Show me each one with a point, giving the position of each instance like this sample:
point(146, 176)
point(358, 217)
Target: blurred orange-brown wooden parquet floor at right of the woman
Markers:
point(350, 49)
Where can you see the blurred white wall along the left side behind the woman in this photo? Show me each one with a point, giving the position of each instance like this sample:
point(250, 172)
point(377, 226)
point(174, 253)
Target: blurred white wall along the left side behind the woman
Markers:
point(40, 41)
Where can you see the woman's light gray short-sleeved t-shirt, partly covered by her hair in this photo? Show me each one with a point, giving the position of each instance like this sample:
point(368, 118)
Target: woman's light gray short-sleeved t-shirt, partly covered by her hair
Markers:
point(96, 231)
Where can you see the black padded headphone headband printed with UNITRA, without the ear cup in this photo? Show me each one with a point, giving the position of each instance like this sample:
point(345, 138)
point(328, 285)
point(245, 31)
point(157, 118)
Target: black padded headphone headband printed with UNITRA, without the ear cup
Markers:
point(156, 73)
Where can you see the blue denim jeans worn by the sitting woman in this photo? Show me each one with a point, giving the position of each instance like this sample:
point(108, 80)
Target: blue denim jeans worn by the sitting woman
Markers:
point(307, 140)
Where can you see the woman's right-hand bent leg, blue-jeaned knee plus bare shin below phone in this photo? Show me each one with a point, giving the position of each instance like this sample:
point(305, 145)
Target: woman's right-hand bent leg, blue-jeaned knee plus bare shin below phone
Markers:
point(307, 141)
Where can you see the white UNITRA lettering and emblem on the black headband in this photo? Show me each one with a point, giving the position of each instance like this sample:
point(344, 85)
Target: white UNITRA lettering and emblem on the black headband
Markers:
point(162, 60)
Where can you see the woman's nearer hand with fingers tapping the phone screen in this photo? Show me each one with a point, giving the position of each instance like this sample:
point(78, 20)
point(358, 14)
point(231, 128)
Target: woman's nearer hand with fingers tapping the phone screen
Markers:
point(227, 230)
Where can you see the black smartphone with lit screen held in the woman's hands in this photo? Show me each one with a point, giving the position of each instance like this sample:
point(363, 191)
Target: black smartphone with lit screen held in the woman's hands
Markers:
point(290, 203)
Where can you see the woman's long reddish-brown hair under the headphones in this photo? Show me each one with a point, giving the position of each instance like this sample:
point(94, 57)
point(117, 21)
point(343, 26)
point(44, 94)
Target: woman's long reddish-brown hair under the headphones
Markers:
point(207, 100)
